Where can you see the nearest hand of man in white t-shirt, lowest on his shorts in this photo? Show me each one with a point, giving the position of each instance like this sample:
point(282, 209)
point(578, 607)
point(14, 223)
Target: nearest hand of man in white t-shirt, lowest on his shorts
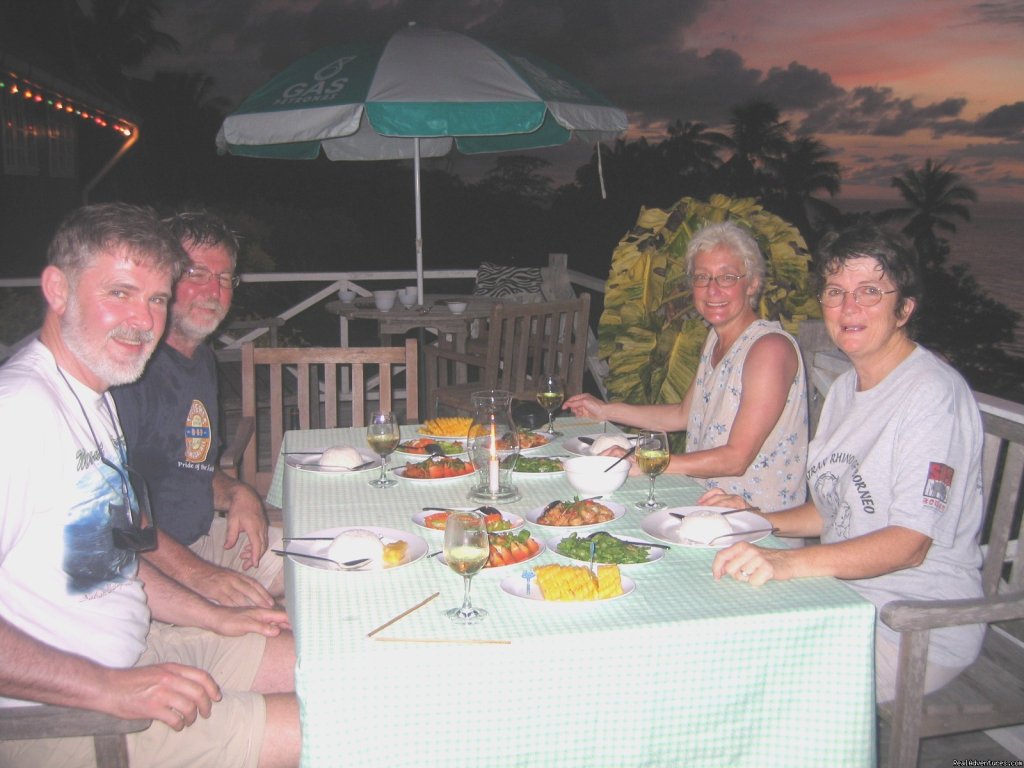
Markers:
point(173, 694)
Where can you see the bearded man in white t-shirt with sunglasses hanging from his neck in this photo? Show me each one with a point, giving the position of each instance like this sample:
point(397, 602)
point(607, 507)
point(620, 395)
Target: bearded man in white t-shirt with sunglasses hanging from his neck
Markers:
point(76, 601)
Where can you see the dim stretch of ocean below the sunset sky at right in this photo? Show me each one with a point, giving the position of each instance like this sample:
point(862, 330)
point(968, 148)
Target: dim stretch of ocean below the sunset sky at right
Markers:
point(992, 245)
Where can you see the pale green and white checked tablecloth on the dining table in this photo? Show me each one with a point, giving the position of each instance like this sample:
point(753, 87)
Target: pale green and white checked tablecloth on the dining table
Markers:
point(684, 670)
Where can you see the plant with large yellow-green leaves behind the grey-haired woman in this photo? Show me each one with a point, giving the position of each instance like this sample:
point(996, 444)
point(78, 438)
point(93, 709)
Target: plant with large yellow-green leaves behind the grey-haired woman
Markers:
point(651, 334)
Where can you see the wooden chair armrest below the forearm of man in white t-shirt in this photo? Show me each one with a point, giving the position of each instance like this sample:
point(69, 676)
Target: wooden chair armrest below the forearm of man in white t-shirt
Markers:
point(48, 721)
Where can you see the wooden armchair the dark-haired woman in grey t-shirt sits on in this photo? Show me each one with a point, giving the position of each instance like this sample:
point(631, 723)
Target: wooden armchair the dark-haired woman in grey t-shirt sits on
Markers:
point(991, 693)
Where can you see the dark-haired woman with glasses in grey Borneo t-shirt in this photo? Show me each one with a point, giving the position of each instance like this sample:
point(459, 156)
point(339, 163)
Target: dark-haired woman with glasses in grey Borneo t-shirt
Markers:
point(894, 472)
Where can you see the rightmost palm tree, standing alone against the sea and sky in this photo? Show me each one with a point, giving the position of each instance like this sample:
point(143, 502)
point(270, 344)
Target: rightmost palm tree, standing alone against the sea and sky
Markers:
point(935, 196)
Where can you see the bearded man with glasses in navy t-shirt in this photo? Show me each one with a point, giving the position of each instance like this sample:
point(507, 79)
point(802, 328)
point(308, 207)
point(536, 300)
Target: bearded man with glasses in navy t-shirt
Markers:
point(170, 421)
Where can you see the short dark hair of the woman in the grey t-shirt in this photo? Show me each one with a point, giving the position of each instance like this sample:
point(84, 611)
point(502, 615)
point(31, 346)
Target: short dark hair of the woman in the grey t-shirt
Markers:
point(867, 240)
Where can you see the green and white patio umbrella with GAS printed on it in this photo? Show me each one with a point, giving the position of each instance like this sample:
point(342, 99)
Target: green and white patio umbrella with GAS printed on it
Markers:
point(417, 95)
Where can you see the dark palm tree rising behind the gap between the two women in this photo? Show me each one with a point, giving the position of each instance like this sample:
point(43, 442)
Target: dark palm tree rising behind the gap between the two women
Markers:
point(801, 172)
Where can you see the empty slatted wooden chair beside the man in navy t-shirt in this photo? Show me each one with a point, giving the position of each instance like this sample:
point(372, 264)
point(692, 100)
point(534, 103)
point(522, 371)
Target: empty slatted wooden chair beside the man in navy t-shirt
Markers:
point(307, 388)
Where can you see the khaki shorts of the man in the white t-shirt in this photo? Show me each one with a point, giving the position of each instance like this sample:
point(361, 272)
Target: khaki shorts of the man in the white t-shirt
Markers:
point(231, 738)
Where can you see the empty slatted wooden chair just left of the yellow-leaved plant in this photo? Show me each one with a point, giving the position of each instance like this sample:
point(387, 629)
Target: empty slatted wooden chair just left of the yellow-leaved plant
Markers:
point(524, 343)
